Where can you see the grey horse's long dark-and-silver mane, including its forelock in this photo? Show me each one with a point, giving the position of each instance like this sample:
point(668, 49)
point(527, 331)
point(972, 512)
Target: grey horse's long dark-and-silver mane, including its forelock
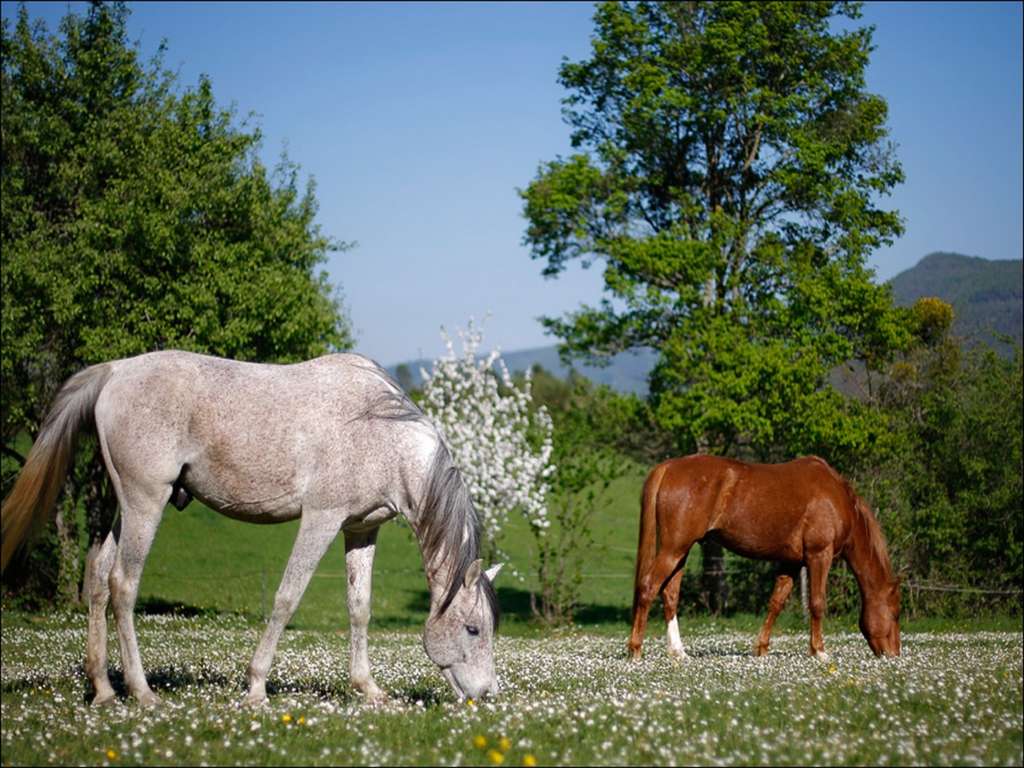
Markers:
point(446, 509)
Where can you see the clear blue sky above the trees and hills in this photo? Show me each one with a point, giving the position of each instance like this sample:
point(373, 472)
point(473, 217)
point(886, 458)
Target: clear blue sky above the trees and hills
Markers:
point(418, 121)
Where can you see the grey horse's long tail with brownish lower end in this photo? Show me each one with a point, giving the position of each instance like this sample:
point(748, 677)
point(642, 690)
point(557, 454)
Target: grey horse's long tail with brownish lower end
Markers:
point(45, 472)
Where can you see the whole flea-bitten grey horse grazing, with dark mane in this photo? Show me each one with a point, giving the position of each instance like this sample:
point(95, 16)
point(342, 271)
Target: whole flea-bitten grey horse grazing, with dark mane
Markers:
point(333, 442)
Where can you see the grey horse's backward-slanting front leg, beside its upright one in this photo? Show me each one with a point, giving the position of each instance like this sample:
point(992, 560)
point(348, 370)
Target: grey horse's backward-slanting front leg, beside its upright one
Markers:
point(317, 531)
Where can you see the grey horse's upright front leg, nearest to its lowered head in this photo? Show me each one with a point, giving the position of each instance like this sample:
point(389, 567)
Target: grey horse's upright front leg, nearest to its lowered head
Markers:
point(360, 549)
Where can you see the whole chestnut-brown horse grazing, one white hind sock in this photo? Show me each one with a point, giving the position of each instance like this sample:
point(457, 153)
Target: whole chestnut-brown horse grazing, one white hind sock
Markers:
point(799, 514)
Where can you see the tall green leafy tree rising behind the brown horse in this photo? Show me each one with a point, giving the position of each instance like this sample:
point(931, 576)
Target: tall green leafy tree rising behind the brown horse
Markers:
point(731, 170)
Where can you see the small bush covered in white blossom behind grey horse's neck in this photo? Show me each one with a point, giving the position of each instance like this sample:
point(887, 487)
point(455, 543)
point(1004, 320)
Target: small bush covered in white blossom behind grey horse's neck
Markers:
point(502, 448)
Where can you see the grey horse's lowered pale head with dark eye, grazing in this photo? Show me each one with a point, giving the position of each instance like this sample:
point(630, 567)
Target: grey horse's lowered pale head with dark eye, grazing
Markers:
point(460, 638)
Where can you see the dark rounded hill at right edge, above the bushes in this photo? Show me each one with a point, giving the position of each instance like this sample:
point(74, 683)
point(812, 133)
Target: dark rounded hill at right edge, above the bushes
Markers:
point(987, 295)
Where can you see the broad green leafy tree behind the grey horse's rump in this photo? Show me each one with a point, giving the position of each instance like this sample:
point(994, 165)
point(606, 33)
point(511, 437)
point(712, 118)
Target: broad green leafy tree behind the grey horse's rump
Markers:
point(139, 218)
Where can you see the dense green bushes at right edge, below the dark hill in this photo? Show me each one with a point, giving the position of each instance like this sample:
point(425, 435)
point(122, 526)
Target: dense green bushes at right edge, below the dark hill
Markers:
point(948, 481)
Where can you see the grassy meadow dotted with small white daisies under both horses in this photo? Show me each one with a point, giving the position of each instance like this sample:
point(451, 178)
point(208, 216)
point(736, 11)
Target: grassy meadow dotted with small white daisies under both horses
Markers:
point(568, 698)
